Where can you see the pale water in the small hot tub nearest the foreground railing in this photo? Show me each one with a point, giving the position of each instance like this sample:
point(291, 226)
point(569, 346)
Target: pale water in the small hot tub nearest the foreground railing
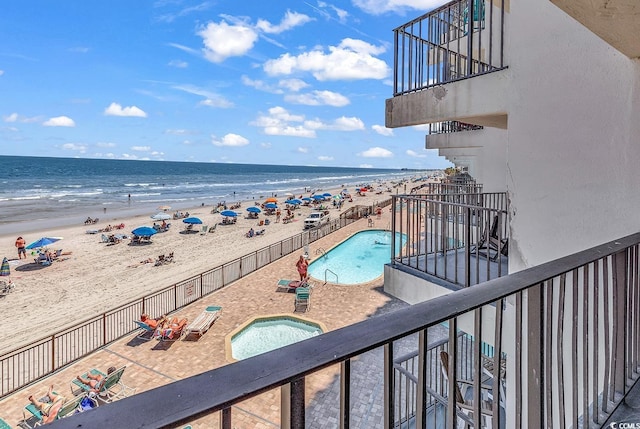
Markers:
point(263, 335)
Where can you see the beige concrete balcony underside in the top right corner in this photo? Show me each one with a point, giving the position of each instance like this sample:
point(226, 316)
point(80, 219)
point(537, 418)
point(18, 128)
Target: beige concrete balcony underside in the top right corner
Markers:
point(616, 22)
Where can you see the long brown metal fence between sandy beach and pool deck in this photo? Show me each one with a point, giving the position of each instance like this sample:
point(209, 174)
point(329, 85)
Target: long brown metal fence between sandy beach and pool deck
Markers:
point(40, 358)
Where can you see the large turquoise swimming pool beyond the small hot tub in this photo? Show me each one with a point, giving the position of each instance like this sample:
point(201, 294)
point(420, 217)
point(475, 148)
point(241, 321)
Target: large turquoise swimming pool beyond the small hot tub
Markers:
point(359, 259)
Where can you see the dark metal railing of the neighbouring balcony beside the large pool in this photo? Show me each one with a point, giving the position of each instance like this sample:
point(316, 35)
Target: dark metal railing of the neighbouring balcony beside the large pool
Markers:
point(459, 238)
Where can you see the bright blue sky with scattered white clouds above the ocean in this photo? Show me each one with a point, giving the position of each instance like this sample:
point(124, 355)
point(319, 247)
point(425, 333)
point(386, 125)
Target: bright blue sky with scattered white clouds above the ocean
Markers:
point(268, 82)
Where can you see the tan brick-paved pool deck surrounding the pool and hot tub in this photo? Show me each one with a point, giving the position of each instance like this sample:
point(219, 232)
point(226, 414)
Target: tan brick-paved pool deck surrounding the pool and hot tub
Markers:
point(151, 363)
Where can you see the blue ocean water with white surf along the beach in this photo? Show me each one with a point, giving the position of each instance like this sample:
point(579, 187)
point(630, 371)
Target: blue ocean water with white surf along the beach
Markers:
point(38, 189)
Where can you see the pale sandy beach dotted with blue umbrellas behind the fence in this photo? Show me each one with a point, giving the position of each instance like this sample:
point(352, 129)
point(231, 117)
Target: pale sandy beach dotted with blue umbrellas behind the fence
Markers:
point(92, 277)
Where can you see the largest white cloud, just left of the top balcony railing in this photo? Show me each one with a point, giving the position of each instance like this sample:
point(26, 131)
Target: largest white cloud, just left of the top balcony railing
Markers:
point(351, 60)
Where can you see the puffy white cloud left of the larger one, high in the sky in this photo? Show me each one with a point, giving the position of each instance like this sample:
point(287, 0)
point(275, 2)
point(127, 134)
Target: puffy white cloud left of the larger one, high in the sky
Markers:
point(222, 40)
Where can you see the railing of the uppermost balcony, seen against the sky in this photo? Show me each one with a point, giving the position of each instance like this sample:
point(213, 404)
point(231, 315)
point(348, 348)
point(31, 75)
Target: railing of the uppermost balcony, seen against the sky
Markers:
point(462, 39)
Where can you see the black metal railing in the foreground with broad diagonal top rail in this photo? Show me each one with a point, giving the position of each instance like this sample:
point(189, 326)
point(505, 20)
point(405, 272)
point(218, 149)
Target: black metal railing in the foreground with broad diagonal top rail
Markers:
point(564, 338)
